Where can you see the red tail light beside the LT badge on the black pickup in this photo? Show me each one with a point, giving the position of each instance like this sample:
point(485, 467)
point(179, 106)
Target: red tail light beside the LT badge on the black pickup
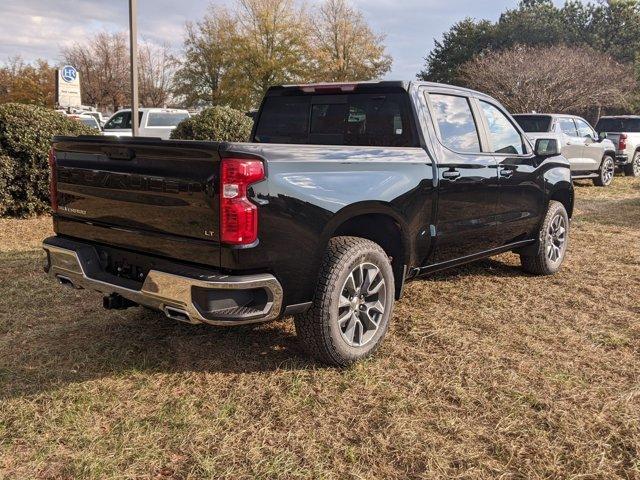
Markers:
point(238, 216)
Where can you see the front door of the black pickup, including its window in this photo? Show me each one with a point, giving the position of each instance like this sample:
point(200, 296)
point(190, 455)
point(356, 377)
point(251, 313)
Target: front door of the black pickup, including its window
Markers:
point(521, 195)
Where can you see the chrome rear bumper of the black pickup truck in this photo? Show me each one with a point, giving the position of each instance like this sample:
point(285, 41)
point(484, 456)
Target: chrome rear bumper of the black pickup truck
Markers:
point(182, 292)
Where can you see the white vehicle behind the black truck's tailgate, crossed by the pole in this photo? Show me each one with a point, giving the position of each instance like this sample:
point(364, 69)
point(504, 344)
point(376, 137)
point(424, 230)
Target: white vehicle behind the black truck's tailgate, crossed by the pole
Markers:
point(153, 122)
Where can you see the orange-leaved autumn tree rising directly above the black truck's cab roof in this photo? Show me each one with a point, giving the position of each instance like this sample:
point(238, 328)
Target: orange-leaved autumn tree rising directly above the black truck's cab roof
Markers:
point(344, 46)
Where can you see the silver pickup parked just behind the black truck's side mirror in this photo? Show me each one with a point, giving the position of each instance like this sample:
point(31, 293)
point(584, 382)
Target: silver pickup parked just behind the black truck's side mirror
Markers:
point(590, 155)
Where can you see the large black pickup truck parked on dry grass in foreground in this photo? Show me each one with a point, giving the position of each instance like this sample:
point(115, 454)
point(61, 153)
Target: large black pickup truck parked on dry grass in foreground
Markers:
point(344, 193)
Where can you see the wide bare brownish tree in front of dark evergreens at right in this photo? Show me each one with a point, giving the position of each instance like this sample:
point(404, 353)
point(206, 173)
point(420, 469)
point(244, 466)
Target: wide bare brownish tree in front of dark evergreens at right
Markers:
point(550, 79)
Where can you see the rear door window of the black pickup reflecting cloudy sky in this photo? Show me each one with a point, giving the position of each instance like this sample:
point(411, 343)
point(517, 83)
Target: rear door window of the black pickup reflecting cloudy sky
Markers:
point(455, 121)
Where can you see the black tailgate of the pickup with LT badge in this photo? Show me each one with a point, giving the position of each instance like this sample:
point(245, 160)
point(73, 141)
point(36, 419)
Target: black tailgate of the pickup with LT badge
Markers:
point(145, 194)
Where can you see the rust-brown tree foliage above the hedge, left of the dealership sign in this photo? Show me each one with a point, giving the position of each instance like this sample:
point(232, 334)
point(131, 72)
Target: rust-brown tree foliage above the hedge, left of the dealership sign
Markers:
point(21, 82)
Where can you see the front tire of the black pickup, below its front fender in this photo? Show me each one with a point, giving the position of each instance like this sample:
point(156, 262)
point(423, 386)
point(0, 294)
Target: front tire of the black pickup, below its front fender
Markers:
point(542, 262)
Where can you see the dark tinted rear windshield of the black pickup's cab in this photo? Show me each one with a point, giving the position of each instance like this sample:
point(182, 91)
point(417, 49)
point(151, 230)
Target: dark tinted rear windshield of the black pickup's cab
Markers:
point(382, 120)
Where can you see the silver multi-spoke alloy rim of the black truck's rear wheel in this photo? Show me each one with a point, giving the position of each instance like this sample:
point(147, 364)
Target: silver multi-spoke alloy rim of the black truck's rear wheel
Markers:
point(362, 304)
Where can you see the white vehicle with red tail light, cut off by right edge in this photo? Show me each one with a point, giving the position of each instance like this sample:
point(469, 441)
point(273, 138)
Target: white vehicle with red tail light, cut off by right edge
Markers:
point(624, 132)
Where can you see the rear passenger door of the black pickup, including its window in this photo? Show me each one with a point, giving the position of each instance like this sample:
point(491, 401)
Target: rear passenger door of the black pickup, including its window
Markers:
point(468, 181)
